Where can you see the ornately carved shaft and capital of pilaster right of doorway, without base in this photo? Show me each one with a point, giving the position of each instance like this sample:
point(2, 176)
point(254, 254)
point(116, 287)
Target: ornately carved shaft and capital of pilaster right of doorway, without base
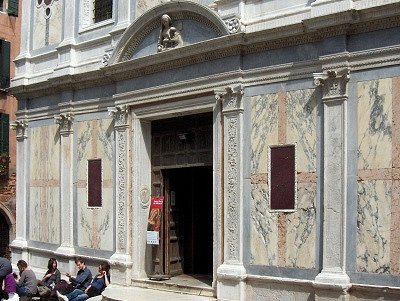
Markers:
point(232, 109)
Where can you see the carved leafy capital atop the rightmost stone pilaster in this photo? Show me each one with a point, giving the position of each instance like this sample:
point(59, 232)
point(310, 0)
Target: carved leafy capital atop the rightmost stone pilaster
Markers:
point(333, 83)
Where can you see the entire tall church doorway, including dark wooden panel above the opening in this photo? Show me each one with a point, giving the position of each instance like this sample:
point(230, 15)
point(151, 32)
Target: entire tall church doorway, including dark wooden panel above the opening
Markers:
point(182, 158)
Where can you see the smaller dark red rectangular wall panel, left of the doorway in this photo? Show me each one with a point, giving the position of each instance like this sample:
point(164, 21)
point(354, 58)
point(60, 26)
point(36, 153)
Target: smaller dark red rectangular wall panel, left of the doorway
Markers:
point(94, 183)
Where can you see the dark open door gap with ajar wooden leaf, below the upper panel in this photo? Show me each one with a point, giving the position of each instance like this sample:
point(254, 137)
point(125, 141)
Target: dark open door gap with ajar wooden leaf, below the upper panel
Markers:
point(187, 224)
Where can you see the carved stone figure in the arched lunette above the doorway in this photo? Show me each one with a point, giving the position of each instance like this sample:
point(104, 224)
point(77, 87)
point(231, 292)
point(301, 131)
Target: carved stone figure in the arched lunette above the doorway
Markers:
point(170, 37)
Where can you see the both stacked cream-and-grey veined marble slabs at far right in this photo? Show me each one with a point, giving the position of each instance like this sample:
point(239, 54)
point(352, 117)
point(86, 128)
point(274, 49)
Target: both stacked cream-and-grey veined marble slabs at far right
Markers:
point(374, 194)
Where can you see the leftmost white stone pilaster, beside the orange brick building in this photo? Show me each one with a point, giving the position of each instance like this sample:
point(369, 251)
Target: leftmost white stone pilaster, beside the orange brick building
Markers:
point(20, 240)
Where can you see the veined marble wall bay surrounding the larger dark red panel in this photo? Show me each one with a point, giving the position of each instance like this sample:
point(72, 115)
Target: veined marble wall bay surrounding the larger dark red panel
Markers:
point(290, 240)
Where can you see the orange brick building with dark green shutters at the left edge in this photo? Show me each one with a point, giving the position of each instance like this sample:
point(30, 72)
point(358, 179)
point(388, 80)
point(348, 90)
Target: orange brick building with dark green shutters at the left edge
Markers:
point(9, 49)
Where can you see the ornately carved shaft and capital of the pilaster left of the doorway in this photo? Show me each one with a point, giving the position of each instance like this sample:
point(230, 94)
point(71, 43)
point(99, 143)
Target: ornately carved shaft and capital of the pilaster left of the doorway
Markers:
point(120, 115)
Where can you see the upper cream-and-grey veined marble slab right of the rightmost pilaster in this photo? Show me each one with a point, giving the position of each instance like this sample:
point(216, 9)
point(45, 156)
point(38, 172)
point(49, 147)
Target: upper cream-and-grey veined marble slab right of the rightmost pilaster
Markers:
point(375, 124)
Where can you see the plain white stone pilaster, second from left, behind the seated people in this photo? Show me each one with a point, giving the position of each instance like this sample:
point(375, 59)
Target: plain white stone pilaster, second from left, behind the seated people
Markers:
point(65, 120)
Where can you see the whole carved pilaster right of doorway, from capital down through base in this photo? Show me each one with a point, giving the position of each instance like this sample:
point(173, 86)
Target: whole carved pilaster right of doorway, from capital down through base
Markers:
point(231, 274)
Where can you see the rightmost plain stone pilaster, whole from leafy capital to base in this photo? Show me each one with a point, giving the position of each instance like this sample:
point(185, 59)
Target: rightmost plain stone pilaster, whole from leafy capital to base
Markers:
point(333, 276)
